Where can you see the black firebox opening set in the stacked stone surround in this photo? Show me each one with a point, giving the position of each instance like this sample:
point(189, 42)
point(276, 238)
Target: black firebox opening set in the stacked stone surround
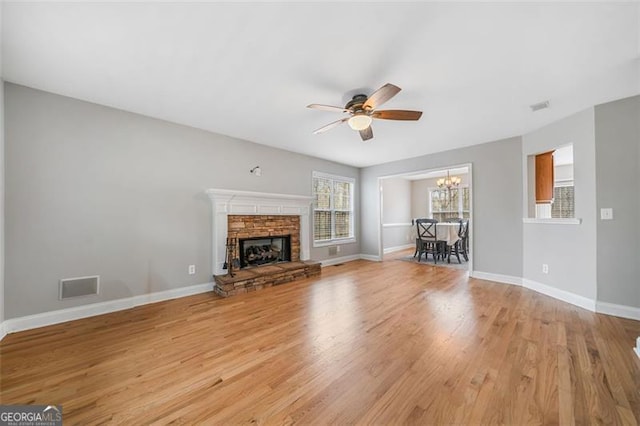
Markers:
point(256, 251)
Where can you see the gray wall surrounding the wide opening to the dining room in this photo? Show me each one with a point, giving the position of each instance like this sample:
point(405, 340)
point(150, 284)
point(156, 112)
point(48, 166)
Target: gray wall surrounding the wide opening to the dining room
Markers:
point(497, 206)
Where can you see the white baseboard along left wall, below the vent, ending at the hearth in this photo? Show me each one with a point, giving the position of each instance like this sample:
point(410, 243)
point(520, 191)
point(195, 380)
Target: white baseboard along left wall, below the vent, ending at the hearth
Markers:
point(78, 312)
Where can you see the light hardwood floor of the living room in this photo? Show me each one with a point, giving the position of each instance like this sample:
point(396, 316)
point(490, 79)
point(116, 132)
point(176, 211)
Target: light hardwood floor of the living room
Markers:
point(385, 343)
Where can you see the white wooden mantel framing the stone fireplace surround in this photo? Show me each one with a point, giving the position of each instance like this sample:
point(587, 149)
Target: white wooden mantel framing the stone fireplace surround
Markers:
point(228, 201)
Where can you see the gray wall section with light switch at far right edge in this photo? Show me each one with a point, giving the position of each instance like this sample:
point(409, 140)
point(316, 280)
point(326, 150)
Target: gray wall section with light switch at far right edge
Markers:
point(617, 129)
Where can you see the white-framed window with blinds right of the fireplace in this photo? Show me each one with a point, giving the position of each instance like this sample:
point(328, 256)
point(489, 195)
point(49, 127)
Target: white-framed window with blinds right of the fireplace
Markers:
point(332, 208)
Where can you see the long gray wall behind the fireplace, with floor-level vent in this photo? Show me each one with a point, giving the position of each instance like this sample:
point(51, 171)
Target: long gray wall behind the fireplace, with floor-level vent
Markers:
point(95, 190)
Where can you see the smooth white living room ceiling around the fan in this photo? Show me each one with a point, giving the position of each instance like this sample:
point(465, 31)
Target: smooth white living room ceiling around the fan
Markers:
point(249, 69)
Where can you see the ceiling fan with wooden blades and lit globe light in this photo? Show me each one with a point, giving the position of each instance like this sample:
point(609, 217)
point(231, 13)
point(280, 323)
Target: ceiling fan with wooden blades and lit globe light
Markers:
point(362, 111)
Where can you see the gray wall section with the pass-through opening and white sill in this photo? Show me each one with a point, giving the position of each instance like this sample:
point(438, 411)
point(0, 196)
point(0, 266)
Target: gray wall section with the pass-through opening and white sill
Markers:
point(569, 250)
